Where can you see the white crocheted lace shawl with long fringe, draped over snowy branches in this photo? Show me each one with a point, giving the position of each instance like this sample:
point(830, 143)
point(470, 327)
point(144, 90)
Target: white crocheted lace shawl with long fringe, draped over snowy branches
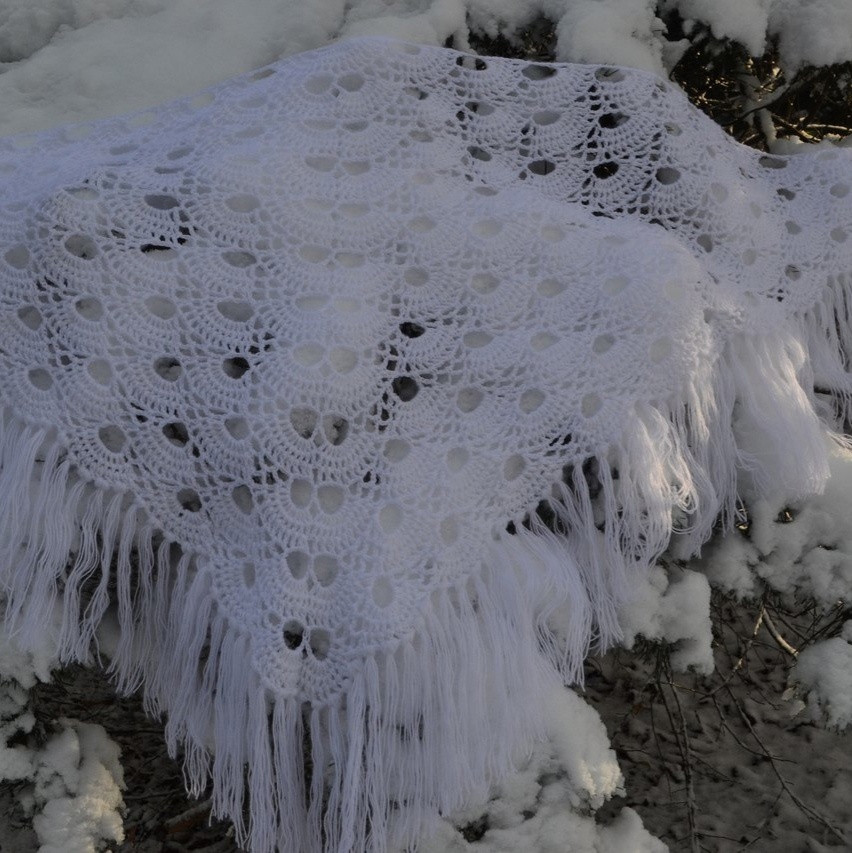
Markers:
point(343, 379)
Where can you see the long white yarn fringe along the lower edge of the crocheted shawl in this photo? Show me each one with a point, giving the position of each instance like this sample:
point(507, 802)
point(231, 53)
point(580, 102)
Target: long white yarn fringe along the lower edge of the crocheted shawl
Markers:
point(426, 725)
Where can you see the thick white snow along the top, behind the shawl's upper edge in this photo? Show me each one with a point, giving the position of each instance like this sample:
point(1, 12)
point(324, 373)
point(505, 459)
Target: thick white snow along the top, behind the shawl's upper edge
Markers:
point(75, 60)
